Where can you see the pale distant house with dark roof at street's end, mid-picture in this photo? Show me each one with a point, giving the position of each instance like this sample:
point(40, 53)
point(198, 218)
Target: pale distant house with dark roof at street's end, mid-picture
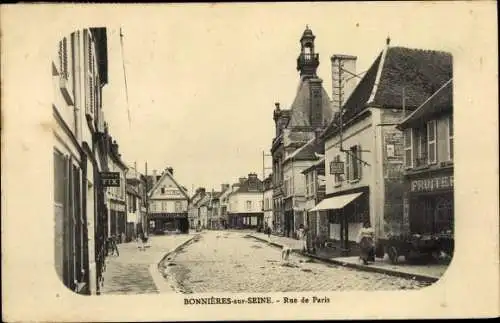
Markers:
point(245, 203)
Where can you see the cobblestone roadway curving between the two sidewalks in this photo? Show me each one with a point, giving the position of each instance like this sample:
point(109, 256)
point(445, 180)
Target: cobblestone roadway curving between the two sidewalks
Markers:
point(224, 261)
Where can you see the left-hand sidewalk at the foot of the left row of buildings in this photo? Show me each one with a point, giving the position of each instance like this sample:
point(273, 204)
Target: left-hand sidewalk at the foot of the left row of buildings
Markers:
point(135, 271)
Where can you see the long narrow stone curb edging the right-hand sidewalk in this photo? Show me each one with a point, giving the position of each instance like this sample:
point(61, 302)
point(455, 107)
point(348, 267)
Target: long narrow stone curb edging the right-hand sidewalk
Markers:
point(417, 277)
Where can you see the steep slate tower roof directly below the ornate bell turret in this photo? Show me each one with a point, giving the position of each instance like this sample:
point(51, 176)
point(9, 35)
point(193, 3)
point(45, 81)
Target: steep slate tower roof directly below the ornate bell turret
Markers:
point(301, 107)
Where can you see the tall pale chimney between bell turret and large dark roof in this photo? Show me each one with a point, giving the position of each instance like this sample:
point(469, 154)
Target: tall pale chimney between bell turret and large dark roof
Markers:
point(343, 79)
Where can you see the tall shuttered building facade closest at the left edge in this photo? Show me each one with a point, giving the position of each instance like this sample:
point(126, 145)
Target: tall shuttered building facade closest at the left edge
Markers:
point(79, 71)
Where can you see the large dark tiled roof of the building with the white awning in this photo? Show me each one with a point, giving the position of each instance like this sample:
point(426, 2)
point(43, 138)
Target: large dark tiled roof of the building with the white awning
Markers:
point(419, 72)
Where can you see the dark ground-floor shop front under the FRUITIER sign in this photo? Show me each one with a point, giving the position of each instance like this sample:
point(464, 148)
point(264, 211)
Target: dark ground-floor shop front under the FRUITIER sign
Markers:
point(430, 210)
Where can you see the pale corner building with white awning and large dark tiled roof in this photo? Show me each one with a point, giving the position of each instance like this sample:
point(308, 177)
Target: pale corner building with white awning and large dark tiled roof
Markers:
point(363, 148)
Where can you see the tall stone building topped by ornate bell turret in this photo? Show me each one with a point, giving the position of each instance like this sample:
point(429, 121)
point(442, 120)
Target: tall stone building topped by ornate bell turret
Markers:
point(311, 110)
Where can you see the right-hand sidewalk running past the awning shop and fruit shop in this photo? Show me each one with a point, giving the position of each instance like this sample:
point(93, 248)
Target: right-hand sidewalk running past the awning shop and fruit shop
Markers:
point(429, 273)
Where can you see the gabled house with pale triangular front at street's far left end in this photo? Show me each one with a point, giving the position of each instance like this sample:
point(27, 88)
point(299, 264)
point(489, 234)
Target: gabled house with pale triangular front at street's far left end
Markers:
point(168, 205)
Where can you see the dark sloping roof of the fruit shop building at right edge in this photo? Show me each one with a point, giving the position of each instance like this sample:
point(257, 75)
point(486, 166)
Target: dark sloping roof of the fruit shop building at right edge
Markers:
point(440, 101)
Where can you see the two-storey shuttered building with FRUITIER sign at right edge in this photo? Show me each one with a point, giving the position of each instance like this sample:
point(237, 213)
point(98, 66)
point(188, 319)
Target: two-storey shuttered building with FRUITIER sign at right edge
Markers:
point(428, 167)
